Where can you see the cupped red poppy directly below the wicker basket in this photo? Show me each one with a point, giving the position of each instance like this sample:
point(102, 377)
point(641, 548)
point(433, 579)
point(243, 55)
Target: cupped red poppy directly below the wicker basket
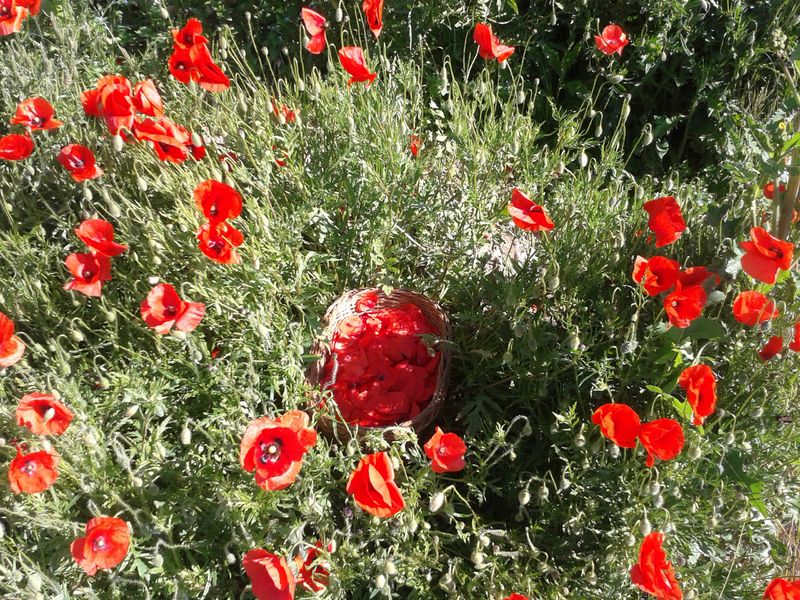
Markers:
point(373, 488)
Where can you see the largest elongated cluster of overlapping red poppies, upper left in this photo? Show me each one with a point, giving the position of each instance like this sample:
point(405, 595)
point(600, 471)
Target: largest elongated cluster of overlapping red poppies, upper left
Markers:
point(139, 110)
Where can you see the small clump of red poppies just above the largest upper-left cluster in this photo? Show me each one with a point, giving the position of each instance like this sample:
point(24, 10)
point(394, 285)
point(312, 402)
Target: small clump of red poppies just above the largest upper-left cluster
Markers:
point(191, 59)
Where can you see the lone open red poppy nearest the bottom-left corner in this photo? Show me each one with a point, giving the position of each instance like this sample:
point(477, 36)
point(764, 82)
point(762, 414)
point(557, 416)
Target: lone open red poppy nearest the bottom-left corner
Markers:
point(104, 546)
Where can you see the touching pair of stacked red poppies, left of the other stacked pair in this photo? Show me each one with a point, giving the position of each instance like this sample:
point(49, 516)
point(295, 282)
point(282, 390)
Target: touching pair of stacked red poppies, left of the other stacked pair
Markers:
point(89, 270)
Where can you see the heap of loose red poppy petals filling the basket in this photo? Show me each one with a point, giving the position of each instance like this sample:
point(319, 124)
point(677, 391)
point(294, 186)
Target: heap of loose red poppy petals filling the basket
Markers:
point(381, 371)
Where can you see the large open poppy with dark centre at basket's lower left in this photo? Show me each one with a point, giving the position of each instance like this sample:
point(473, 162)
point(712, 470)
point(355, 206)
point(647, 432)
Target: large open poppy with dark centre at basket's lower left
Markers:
point(274, 448)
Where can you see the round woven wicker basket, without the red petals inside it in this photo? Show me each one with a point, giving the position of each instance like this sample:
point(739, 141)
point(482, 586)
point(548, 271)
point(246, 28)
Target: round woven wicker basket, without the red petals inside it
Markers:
point(344, 307)
